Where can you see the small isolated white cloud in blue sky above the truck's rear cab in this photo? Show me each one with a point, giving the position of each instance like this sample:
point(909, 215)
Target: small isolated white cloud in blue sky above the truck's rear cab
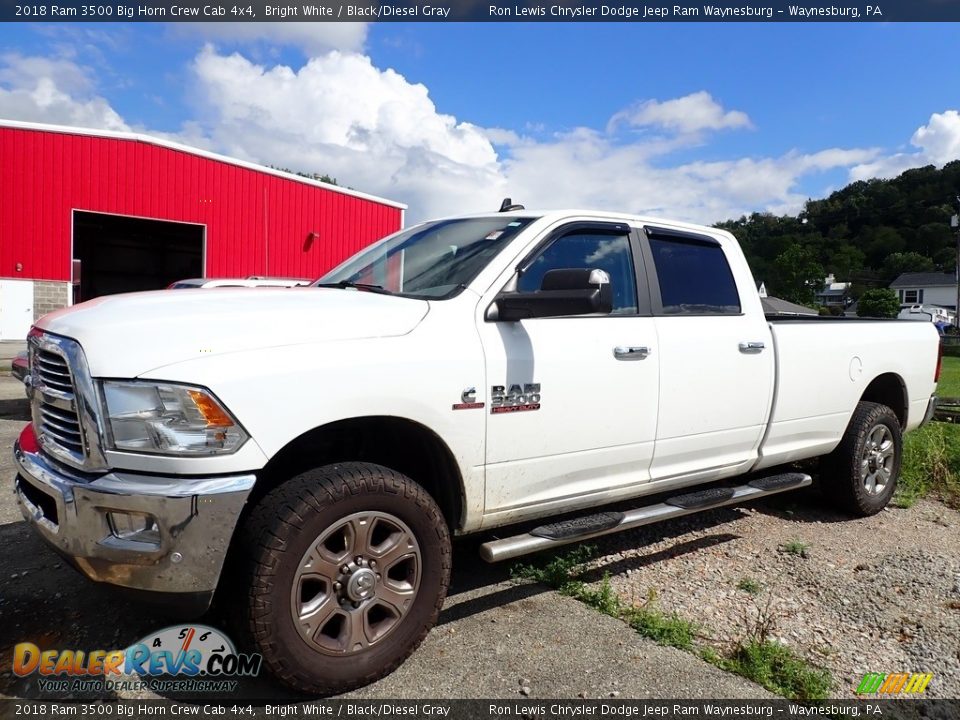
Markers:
point(689, 114)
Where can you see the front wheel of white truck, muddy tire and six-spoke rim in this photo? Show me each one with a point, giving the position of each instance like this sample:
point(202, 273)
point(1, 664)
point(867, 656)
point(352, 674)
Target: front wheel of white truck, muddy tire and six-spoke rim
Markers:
point(347, 567)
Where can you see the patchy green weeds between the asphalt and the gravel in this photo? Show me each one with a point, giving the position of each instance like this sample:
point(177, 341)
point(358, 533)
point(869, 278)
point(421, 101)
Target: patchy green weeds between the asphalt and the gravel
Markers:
point(775, 667)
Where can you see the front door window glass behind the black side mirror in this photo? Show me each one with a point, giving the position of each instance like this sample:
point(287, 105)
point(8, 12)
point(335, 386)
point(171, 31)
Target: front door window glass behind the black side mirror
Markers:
point(589, 250)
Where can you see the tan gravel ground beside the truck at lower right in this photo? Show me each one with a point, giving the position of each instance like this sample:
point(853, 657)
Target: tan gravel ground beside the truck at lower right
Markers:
point(879, 594)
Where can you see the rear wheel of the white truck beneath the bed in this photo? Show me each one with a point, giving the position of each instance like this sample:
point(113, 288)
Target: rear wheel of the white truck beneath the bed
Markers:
point(860, 476)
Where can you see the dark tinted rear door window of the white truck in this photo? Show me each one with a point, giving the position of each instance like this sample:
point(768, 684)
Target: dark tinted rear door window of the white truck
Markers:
point(695, 278)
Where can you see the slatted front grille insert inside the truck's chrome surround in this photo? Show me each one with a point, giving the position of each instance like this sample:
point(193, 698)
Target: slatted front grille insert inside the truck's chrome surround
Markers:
point(56, 408)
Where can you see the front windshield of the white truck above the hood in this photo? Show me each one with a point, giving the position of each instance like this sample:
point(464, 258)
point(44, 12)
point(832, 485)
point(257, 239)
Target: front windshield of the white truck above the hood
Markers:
point(433, 260)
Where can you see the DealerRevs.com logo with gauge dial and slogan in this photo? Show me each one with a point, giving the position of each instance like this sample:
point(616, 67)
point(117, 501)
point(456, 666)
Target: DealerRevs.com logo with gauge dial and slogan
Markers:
point(185, 658)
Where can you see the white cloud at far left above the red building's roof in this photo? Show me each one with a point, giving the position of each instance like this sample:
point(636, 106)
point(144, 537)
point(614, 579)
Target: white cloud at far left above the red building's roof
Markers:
point(57, 91)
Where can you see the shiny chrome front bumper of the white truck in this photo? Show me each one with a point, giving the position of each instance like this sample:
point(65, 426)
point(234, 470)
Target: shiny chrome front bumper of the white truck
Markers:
point(182, 557)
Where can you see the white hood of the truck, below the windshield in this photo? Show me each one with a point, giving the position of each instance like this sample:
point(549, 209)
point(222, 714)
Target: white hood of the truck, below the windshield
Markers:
point(128, 335)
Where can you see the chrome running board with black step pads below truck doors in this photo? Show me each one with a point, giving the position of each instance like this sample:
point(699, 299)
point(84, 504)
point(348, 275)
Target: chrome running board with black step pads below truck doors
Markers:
point(604, 523)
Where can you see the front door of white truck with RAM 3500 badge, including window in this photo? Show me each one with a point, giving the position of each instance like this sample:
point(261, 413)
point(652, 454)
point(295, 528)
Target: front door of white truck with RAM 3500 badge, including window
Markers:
point(572, 401)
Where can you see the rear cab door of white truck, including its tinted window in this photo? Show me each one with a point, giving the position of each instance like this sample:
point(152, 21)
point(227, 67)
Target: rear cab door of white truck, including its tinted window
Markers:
point(716, 355)
